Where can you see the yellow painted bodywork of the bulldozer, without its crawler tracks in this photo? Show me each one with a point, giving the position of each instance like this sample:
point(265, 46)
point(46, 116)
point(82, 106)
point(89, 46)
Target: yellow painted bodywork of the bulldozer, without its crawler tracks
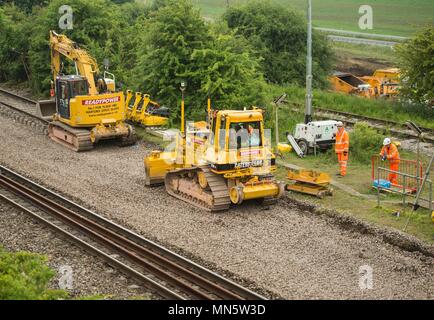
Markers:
point(195, 150)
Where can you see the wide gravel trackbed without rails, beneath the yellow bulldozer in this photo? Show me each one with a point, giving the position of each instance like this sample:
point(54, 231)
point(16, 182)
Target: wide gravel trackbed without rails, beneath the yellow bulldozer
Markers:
point(287, 250)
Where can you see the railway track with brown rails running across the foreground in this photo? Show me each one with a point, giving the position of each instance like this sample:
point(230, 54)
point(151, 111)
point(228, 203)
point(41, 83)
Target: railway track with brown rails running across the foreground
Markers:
point(164, 272)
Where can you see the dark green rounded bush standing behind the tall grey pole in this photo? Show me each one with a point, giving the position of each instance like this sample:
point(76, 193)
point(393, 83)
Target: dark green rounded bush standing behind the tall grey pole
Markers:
point(279, 34)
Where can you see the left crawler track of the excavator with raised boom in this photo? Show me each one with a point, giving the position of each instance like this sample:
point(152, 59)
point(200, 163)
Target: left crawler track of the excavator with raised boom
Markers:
point(74, 139)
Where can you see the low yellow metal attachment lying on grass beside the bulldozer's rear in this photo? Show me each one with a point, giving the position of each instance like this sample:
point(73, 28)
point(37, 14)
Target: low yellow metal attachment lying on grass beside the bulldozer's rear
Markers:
point(309, 182)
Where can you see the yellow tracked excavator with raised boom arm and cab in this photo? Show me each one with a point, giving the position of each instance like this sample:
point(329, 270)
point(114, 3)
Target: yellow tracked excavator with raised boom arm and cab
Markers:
point(86, 107)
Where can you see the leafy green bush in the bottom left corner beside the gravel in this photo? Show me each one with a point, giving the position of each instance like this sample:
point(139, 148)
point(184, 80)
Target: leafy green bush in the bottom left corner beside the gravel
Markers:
point(25, 276)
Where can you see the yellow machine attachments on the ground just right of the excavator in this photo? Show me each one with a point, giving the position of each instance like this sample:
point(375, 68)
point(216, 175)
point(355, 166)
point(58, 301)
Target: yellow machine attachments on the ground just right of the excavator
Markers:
point(145, 112)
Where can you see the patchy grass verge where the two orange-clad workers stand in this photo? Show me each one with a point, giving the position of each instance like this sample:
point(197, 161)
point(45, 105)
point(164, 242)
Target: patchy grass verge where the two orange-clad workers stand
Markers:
point(359, 178)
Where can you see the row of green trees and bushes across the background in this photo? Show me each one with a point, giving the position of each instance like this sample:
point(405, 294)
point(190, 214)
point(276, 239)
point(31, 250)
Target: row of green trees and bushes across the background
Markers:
point(153, 47)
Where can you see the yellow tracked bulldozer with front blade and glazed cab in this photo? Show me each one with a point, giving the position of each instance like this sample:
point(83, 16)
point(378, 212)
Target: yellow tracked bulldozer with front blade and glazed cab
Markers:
point(230, 163)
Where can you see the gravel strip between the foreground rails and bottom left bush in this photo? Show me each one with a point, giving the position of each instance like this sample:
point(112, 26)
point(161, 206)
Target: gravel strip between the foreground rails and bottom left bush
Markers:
point(90, 275)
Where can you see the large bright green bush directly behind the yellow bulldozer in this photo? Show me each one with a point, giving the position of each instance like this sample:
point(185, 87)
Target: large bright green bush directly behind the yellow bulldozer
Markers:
point(179, 45)
